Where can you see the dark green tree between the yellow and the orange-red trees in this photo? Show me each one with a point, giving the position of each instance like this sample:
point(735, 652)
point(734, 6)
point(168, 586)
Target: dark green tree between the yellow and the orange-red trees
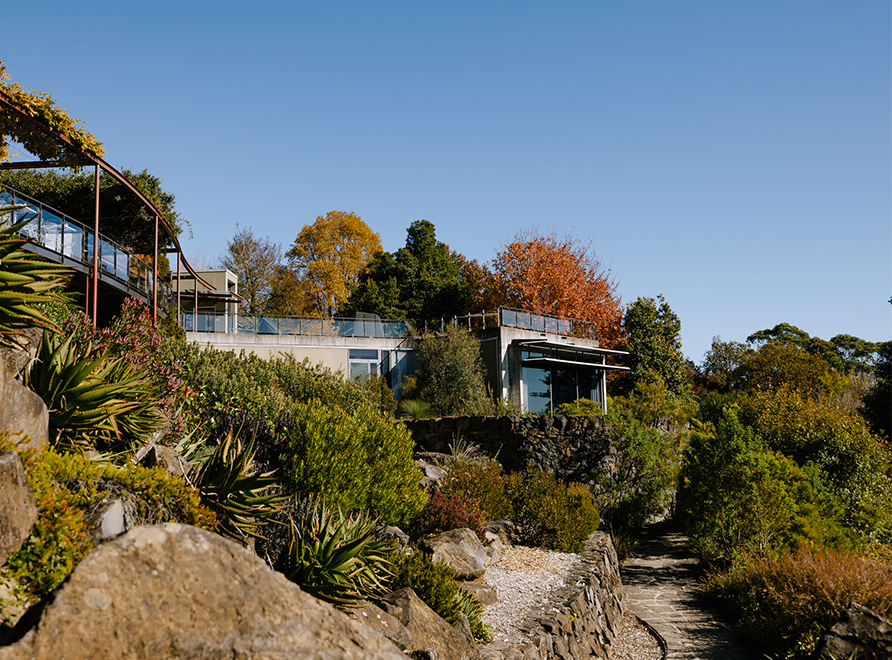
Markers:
point(422, 281)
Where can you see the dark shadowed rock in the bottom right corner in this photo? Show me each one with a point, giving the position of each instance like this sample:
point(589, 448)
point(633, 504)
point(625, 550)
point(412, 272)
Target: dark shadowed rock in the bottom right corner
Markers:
point(859, 629)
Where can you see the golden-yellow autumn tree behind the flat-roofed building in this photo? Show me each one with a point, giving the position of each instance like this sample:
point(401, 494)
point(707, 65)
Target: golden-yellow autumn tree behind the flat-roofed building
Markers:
point(327, 257)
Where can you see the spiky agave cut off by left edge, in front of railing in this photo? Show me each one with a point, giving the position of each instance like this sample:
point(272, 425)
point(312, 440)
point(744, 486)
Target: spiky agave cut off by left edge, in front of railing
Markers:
point(25, 280)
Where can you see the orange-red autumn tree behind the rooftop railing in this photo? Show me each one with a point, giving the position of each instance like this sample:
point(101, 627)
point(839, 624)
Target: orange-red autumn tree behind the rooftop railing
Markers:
point(555, 275)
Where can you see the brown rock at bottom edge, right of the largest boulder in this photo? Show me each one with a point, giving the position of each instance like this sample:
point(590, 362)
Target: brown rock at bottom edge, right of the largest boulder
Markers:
point(428, 630)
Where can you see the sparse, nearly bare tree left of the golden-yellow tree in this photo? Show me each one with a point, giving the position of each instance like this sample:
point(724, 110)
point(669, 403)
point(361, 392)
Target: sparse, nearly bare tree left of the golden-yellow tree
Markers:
point(255, 261)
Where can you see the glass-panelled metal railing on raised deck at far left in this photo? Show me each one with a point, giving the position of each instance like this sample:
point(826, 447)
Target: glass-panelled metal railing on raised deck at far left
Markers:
point(67, 237)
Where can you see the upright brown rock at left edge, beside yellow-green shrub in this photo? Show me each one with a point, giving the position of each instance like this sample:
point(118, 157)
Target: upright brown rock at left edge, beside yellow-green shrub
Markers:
point(18, 511)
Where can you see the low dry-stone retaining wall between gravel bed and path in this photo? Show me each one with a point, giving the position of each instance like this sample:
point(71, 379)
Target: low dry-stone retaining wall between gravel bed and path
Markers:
point(580, 620)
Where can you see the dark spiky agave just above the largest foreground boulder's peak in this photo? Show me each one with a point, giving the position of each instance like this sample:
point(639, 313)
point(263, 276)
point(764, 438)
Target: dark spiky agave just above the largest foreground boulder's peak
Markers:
point(234, 492)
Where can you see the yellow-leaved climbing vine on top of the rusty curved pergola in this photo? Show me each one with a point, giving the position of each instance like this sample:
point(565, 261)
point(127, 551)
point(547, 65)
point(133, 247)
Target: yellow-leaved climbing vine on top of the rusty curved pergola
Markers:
point(37, 140)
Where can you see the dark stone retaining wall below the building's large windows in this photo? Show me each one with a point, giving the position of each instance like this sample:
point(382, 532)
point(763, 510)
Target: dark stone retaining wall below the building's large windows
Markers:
point(572, 446)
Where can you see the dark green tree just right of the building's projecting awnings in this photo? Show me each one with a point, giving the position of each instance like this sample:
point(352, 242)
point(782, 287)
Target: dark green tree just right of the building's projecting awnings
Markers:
point(654, 343)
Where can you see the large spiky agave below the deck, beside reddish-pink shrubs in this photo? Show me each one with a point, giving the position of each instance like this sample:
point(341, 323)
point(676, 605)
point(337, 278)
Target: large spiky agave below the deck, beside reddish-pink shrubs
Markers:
point(91, 398)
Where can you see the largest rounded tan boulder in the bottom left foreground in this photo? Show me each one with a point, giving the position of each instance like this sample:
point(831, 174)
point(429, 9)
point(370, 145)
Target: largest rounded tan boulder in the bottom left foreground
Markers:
point(173, 591)
